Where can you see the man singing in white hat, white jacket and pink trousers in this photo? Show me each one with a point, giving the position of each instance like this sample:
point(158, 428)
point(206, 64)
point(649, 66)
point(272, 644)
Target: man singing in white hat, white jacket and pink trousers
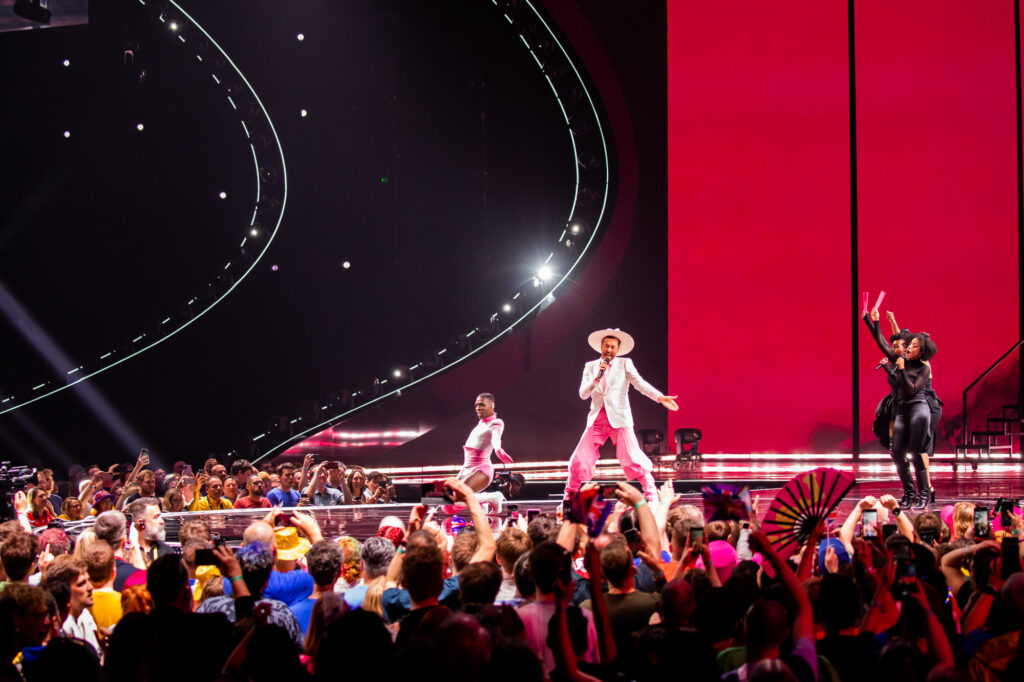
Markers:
point(607, 382)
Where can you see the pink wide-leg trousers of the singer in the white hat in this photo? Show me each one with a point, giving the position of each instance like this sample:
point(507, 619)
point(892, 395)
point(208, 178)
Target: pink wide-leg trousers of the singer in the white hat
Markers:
point(636, 465)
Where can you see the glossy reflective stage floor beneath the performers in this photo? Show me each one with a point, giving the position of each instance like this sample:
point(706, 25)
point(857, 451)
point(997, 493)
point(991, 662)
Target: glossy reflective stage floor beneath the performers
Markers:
point(544, 492)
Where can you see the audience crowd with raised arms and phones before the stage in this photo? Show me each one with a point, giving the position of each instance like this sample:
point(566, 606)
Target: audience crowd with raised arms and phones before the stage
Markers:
point(658, 593)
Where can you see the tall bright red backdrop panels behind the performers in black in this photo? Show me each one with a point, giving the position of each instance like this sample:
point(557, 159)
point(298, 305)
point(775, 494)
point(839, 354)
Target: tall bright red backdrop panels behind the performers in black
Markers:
point(760, 238)
